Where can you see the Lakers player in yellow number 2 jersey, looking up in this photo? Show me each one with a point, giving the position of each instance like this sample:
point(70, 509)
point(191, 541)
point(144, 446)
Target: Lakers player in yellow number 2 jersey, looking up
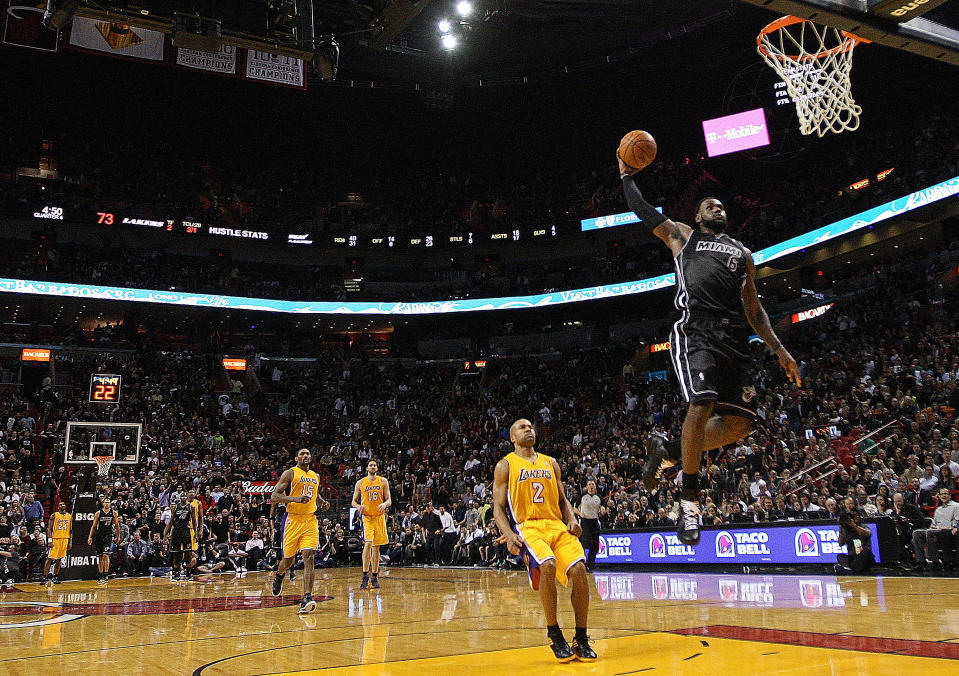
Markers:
point(533, 513)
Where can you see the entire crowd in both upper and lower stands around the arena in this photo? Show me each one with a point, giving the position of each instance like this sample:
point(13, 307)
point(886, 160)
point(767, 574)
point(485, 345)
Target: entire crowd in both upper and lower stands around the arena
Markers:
point(887, 352)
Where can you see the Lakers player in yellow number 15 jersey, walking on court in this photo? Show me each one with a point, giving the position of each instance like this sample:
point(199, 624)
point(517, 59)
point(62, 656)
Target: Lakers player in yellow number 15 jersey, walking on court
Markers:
point(299, 488)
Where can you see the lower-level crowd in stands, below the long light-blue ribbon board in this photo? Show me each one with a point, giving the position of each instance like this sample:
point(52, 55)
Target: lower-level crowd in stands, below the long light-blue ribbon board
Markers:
point(889, 352)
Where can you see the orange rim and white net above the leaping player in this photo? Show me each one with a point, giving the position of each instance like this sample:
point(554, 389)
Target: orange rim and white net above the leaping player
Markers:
point(814, 63)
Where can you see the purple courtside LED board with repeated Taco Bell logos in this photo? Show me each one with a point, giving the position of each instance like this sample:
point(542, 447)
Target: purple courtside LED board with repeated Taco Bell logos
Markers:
point(812, 543)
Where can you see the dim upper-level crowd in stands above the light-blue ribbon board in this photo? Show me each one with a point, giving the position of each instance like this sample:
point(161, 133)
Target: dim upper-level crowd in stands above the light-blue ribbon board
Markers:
point(762, 213)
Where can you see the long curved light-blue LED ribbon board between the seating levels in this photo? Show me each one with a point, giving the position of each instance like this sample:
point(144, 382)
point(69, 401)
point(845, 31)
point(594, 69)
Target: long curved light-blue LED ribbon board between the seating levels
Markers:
point(826, 233)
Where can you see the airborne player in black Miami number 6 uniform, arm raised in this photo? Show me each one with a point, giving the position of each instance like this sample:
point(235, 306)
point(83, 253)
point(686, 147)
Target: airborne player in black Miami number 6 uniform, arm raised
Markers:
point(709, 344)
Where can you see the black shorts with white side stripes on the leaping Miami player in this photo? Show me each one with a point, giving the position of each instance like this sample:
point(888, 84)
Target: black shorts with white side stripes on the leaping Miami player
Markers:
point(712, 362)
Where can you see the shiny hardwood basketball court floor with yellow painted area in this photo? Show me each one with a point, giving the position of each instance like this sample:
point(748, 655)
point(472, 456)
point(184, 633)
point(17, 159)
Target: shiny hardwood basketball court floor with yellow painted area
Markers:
point(461, 622)
